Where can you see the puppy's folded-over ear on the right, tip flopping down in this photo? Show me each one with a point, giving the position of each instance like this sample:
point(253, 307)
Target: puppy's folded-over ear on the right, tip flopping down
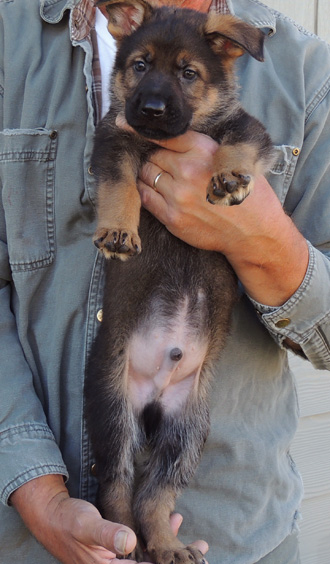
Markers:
point(231, 37)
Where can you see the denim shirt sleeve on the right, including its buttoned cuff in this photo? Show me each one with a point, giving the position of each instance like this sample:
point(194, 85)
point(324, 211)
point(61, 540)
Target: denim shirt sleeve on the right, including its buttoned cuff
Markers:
point(305, 317)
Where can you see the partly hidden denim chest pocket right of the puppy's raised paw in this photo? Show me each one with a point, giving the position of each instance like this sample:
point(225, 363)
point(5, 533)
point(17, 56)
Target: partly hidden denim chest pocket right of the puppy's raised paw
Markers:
point(281, 173)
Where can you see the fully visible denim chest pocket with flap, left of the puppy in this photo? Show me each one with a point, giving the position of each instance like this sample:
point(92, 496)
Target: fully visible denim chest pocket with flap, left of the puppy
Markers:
point(27, 169)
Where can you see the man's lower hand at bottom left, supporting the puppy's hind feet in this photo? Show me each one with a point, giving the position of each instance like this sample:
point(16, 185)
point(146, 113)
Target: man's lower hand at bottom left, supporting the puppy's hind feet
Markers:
point(73, 530)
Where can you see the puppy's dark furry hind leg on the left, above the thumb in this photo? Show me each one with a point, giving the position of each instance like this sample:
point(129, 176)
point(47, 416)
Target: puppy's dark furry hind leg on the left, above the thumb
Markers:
point(115, 437)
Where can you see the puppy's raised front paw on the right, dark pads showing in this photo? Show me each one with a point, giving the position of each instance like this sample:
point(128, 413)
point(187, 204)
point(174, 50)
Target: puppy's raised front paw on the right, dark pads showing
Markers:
point(229, 188)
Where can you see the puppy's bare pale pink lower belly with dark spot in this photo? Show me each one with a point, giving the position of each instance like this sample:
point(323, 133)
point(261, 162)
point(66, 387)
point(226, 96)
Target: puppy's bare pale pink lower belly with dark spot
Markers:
point(165, 361)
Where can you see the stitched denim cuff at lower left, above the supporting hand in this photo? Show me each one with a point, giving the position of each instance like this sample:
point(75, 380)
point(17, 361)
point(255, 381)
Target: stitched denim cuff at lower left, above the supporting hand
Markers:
point(27, 451)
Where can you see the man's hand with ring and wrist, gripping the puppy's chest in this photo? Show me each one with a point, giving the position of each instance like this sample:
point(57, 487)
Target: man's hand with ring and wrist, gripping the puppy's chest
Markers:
point(260, 241)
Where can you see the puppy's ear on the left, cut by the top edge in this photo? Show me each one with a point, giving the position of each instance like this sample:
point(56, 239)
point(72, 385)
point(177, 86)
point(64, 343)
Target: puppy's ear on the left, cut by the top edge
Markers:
point(125, 16)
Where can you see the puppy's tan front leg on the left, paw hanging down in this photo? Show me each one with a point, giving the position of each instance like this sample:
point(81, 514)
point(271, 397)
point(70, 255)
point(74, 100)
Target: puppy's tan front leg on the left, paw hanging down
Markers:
point(118, 207)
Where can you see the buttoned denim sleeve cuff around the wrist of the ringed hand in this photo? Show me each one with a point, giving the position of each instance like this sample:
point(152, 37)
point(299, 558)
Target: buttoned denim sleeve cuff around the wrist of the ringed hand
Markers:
point(304, 318)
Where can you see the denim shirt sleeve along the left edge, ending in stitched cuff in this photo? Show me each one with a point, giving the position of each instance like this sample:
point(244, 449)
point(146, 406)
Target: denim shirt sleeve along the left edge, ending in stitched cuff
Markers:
point(27, 445)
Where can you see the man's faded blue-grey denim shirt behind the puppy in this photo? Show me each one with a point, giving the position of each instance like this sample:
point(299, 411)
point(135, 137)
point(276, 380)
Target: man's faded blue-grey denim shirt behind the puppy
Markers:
point(244, 499)
